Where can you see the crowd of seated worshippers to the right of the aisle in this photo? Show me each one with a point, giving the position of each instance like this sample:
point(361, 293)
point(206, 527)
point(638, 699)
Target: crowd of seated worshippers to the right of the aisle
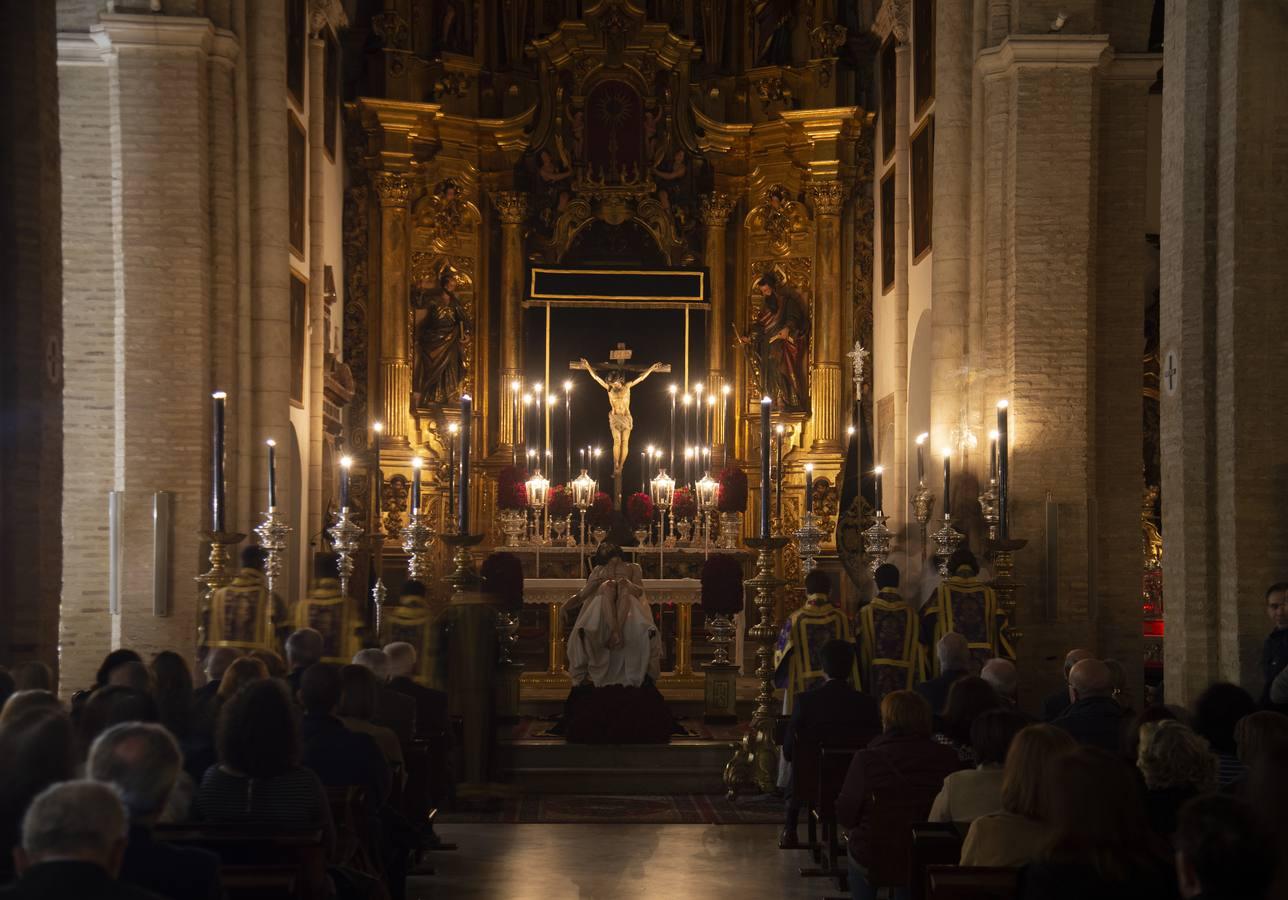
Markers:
point(937, 786)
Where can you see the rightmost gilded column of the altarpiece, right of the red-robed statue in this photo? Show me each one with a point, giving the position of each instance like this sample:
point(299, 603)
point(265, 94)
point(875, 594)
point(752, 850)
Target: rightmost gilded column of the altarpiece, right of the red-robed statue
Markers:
point(828, 198)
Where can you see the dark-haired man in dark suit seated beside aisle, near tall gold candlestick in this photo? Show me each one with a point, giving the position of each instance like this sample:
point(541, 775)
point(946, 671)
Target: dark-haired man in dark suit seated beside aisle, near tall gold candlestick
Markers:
point(830, 714)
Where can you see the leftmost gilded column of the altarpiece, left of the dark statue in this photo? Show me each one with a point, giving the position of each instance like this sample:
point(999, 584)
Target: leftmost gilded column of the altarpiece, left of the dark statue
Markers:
point(395, 192)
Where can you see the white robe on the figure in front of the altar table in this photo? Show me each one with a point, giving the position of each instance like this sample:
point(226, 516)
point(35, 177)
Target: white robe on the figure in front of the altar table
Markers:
point(638, 651)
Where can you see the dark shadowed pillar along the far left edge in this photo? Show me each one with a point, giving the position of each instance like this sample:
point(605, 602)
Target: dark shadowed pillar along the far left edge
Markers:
point(32, 346)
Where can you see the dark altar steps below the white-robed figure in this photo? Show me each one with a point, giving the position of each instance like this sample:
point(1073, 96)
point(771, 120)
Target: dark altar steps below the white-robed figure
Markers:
point(547, 765)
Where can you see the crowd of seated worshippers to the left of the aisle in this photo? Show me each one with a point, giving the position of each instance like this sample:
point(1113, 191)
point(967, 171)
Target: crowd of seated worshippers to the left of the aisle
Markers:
point(292, 778)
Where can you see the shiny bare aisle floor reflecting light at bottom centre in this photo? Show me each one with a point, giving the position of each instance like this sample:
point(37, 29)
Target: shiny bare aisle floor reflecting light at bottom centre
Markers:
point(616, 862)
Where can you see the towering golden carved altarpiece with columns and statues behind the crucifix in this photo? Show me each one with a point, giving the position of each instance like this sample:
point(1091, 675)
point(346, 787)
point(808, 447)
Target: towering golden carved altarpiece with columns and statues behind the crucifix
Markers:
point(490, 137)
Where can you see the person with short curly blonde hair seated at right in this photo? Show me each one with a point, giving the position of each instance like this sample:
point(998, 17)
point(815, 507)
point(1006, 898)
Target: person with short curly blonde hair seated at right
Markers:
point(1177, 765)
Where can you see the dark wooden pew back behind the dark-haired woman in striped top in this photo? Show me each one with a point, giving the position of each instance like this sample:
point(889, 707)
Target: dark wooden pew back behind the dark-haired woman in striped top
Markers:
point(261, 861)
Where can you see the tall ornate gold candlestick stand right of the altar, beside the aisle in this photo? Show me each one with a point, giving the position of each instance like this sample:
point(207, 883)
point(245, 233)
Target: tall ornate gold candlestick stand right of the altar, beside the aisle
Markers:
point(755, 759)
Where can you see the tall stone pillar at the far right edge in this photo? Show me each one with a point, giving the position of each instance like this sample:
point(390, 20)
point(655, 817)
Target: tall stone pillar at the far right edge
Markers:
point(1224, 317)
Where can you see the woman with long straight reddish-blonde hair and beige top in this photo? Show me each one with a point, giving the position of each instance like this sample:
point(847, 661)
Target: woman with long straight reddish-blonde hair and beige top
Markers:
point(1017, 835)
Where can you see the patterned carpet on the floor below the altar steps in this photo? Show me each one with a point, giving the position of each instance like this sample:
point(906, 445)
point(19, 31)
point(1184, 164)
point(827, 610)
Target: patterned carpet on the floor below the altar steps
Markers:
point(625, 809)
